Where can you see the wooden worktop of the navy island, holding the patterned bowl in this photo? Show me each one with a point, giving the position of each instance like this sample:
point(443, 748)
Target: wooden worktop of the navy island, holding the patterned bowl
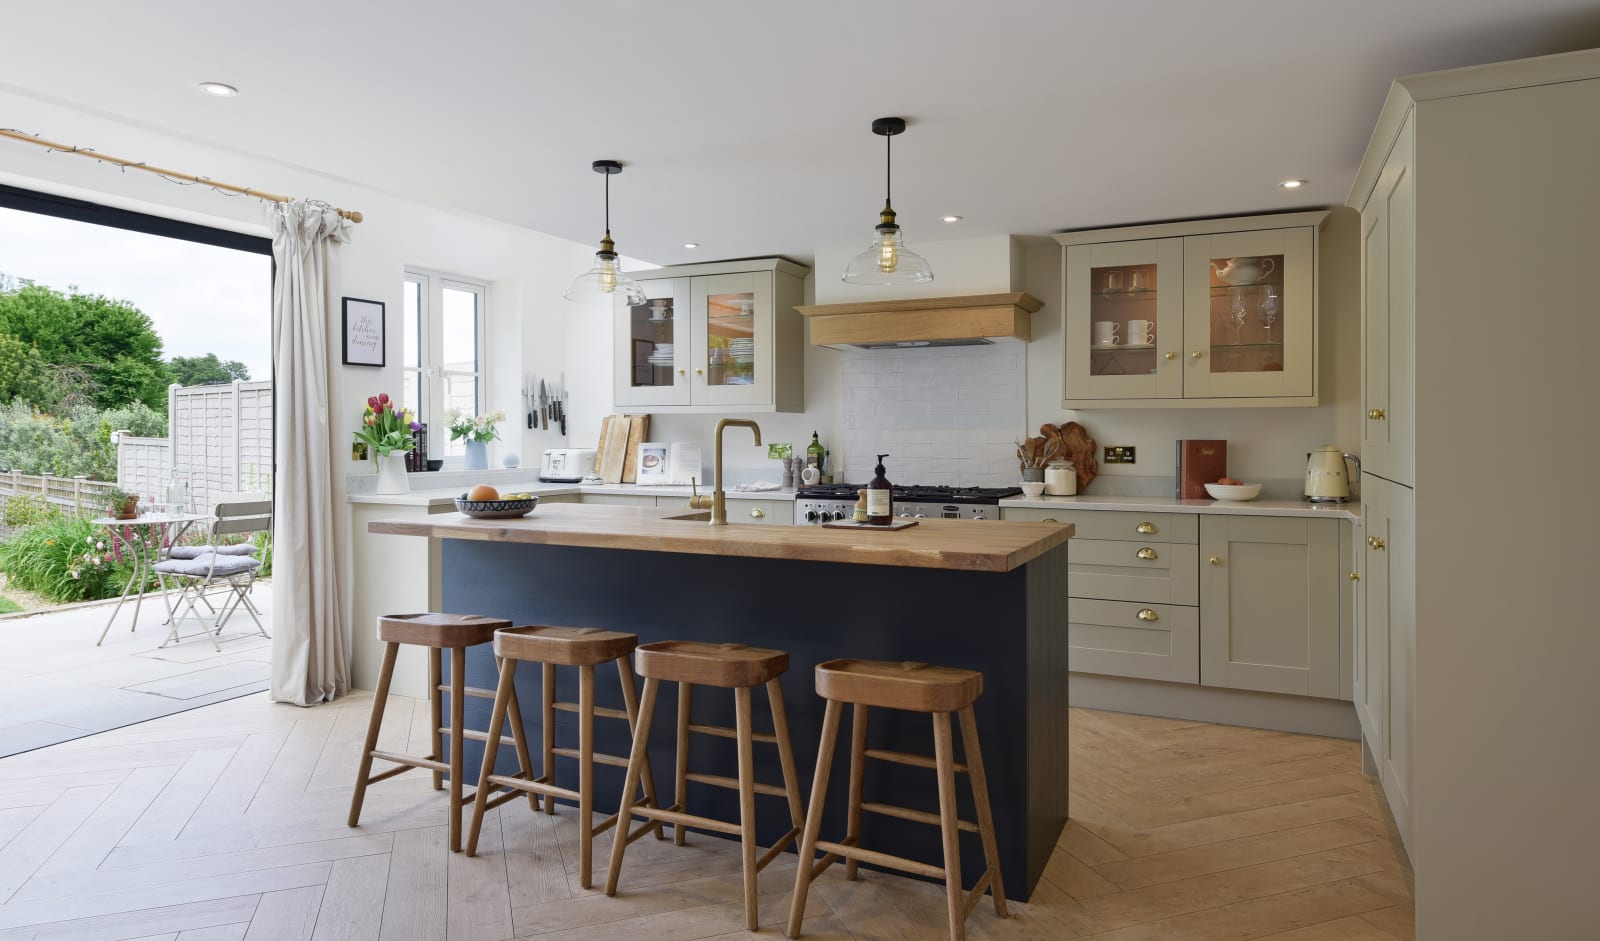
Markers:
point(953, 545)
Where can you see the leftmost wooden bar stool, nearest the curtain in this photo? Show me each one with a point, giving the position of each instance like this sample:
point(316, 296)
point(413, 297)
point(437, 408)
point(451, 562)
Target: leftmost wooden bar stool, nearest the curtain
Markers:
point(438, 633)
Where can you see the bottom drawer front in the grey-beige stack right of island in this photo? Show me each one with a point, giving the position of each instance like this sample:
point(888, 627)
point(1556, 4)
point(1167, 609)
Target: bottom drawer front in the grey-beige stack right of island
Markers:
point(1113, 639)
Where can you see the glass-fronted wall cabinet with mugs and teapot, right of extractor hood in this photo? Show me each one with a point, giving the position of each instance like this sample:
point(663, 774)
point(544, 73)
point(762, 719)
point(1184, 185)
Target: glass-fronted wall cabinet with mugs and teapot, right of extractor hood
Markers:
point(1190, 314)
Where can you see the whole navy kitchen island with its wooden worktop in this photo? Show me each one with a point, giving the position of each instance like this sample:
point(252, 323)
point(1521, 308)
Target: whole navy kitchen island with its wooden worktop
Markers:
point(958, 593)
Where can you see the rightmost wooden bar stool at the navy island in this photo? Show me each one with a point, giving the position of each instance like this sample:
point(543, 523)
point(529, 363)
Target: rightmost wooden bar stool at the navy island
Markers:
point(914, 687)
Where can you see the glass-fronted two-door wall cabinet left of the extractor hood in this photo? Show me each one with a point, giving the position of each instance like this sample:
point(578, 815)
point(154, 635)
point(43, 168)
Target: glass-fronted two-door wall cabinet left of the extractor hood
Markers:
point(721, 337)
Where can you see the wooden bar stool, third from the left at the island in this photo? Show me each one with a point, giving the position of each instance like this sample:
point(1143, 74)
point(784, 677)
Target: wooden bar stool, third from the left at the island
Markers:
point(730, 667)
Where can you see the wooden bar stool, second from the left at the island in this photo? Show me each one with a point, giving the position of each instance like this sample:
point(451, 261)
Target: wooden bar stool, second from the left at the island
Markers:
point(585, 649)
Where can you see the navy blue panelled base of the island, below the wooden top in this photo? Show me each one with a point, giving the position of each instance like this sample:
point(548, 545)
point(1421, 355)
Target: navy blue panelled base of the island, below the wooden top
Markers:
point(1009, 625)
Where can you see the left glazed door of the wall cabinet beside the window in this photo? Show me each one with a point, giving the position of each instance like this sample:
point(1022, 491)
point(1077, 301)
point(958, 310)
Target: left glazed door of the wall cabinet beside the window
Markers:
point(654, 346)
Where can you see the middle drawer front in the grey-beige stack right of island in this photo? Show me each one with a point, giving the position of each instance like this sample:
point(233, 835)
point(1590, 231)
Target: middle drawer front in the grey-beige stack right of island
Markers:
point(1134, 572)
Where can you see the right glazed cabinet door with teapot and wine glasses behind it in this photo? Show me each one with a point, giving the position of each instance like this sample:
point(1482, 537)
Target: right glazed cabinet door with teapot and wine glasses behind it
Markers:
point(1250, 314)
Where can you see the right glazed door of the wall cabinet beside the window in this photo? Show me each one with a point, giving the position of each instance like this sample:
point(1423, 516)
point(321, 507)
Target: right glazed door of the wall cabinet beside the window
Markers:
point(734, 340)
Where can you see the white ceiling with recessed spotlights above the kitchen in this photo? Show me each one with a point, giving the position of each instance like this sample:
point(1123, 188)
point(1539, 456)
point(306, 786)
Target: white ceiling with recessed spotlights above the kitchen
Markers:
point(745, 126)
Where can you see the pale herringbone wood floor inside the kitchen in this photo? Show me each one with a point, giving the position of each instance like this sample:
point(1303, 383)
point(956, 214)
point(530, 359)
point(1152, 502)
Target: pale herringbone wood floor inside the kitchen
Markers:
point(228, 823)
